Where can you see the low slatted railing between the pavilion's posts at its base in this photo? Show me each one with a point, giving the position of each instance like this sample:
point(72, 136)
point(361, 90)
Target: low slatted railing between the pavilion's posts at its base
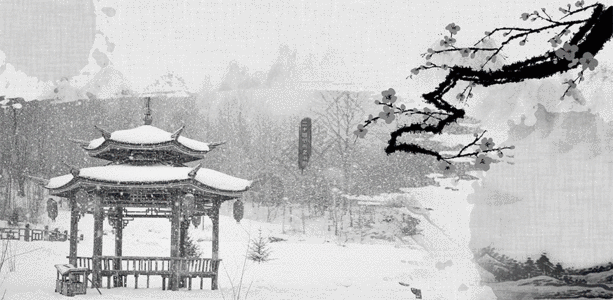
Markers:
point(148, 265)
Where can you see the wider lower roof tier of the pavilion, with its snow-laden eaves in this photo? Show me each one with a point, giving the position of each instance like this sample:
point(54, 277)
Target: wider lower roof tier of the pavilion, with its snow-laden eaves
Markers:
point(160, 176)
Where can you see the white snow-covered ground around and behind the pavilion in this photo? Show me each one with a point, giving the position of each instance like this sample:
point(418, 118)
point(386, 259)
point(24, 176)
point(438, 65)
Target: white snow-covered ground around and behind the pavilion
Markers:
point(303, 267)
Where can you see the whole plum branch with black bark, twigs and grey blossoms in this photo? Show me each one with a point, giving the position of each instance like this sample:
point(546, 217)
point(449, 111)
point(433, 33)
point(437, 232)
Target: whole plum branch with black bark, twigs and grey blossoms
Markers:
point(589, 39)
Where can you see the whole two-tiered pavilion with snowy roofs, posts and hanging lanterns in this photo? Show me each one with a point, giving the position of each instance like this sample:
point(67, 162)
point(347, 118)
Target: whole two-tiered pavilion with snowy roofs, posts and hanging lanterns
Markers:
point(146, 178)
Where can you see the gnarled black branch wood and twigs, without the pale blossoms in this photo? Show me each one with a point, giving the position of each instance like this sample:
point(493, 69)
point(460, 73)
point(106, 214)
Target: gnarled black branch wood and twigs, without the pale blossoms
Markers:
point(591, 37)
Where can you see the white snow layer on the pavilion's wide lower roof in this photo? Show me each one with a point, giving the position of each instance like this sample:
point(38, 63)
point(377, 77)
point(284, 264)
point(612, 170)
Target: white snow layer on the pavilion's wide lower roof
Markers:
point(155, 173)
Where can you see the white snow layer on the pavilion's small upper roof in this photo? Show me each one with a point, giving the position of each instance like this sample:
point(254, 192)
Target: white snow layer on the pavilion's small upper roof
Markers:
point(148, 134)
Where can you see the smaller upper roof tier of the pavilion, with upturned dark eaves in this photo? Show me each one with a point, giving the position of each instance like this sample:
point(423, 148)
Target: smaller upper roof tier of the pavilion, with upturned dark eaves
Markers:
point(147, 139)
